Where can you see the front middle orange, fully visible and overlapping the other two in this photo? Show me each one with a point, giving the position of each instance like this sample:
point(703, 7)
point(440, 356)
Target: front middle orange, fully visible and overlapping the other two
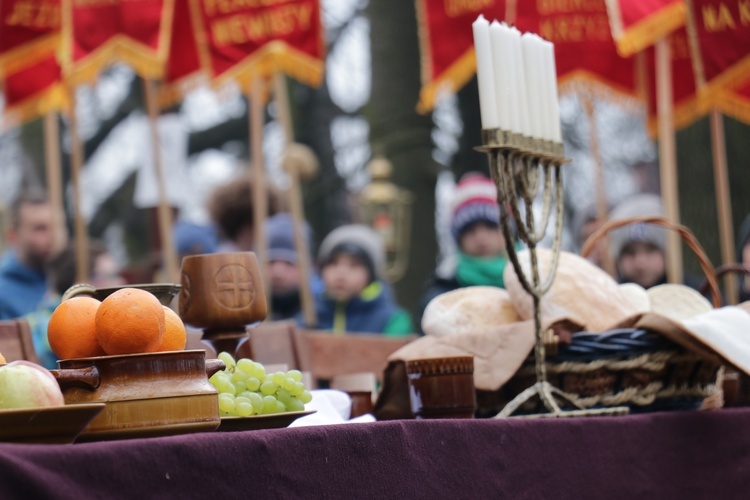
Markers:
point(130, 321)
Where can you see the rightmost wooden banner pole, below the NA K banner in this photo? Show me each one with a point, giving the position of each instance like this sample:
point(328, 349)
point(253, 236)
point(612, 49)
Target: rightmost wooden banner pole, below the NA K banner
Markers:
point(723, 202)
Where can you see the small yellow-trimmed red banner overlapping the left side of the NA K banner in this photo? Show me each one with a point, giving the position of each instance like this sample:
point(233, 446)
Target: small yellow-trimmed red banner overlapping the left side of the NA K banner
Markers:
point(638, 24)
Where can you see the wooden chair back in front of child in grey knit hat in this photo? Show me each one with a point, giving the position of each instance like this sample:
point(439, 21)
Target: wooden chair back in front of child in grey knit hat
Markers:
point(326, 355)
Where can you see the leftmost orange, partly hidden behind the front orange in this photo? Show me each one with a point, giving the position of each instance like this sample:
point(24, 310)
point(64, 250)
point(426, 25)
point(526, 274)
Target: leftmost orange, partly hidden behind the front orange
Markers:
point(71, 331)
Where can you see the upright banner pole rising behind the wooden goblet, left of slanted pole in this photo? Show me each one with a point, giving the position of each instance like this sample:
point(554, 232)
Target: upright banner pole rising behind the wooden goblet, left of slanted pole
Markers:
point(260, 191)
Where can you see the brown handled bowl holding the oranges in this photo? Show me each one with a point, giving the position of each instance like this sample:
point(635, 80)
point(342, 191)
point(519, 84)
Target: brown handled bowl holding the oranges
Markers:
point(154, 394)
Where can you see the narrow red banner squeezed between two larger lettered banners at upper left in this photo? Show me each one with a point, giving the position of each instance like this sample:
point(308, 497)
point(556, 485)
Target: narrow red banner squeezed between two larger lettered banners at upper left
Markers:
point(183, 70)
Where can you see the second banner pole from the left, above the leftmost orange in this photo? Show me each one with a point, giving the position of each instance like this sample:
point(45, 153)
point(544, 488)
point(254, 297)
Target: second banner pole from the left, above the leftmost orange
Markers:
point(80, 230)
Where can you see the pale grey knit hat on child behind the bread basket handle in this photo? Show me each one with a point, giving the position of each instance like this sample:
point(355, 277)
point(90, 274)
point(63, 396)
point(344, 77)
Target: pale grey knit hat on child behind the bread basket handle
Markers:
point(641, 205)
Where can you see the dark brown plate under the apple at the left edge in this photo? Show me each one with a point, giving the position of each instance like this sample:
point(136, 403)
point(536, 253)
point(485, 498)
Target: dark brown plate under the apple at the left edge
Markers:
point(48, 425)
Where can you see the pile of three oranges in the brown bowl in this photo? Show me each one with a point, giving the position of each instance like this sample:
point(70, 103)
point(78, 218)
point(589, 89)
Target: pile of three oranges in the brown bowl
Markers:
point(129, 321)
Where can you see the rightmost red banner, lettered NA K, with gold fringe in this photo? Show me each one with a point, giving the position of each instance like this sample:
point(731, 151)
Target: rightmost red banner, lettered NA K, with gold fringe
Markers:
point(721, 50)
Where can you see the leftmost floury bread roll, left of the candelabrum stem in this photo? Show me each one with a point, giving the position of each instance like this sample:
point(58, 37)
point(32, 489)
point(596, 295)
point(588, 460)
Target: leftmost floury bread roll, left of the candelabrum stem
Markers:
point(466, 310)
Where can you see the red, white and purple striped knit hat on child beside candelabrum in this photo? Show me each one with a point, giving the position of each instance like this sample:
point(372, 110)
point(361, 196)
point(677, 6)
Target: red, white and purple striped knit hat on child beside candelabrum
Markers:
point(474, 200)
